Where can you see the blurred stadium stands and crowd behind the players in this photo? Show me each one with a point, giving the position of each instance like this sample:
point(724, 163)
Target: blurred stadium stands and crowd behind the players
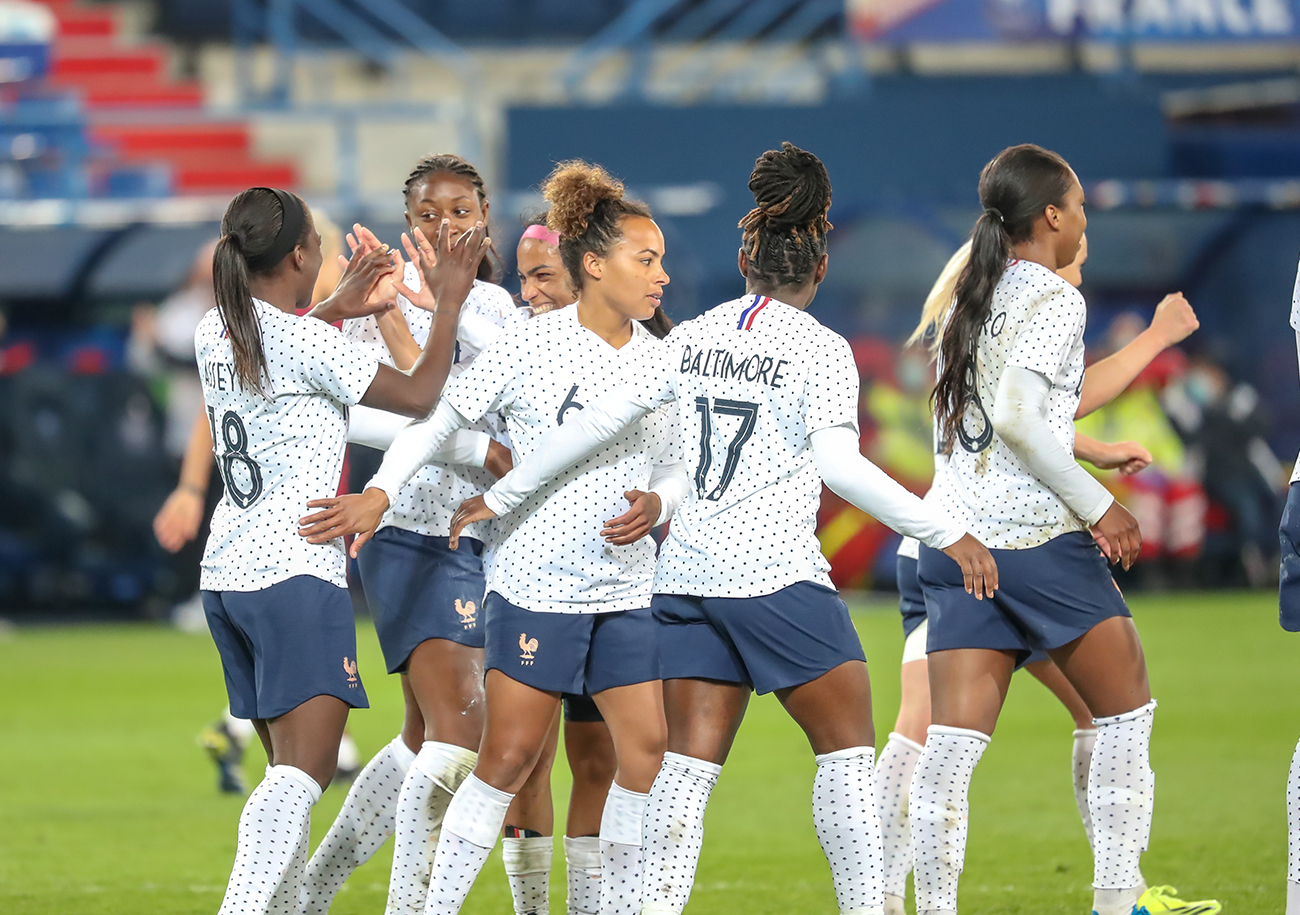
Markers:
point(127, 127)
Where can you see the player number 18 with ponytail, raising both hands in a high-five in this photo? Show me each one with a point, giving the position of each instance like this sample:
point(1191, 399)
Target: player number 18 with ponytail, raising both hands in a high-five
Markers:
point(278, 389)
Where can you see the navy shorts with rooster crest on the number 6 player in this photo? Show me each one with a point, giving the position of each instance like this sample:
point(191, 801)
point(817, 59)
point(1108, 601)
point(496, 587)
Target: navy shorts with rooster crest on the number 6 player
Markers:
point(571, 653)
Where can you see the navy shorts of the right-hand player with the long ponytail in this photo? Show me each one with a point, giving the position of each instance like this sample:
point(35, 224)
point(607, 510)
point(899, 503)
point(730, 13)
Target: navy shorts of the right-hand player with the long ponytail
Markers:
point(1047, 597)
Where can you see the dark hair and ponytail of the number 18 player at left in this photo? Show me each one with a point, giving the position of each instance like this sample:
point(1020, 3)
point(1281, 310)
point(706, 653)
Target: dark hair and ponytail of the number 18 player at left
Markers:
point(253, 242)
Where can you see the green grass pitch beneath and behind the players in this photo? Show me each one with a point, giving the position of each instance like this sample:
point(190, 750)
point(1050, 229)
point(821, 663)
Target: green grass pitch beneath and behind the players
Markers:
point(107, 805)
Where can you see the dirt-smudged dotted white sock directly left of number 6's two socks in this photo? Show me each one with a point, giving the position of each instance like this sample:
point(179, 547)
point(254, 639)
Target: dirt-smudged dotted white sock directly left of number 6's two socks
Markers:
point(435, 775)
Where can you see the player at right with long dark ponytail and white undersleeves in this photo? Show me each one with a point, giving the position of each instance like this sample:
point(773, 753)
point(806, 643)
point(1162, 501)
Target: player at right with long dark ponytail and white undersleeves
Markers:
point(1011, 381)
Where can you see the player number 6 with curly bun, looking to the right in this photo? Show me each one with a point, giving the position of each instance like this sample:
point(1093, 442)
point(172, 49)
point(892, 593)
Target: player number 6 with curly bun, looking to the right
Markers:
point(567, 601)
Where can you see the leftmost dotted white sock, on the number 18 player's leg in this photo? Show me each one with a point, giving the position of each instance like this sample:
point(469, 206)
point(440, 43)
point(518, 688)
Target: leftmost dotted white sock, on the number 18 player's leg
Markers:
point(271, 831)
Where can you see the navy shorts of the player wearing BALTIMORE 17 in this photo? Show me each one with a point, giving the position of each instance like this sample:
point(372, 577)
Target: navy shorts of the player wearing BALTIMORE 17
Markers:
point(770, 643)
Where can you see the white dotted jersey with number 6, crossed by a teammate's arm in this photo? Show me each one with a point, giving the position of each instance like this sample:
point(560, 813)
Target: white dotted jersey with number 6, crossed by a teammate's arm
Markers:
point(551, 556)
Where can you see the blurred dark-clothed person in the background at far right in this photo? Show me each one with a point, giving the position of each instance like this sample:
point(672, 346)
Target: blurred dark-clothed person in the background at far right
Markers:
point(1225, 428)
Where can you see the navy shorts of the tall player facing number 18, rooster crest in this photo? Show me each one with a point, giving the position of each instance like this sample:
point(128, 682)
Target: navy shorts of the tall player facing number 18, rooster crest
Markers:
point(418, 589)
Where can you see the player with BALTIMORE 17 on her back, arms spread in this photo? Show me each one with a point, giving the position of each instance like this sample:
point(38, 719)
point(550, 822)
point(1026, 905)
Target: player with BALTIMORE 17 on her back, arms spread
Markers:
point(742, 593)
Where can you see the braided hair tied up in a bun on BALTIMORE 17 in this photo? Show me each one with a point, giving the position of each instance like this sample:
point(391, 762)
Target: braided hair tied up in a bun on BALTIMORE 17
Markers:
point(785, 236)
